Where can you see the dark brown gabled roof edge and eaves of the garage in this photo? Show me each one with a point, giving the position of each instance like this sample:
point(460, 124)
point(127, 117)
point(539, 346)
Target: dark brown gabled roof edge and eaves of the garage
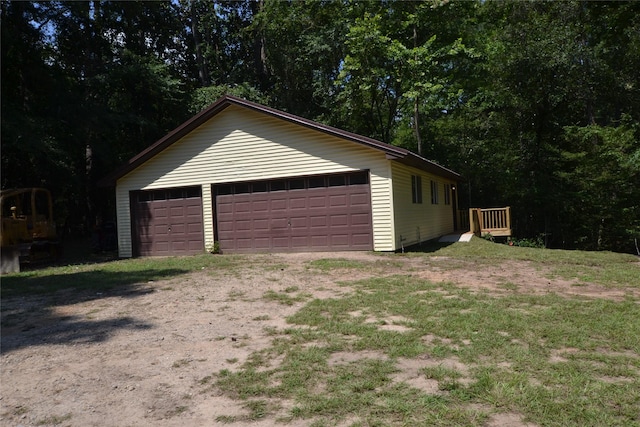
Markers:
point(392, 152)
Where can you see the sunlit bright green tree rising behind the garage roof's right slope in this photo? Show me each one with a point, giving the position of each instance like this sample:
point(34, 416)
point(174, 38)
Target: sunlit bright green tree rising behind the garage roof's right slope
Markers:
point(399, 67)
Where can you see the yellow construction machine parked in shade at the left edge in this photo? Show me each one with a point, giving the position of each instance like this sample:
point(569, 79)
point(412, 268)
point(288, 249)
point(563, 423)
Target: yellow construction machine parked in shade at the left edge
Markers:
point(28, 230)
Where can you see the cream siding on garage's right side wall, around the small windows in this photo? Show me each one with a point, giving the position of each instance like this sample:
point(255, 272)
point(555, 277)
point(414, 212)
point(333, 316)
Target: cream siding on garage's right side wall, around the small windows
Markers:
point(418, 222)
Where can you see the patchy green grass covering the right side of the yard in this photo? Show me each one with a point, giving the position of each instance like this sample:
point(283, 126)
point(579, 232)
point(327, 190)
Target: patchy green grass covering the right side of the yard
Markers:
point(552, 360)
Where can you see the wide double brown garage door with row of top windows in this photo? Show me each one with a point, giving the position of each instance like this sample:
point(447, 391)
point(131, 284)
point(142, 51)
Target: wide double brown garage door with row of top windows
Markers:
point(322, 213)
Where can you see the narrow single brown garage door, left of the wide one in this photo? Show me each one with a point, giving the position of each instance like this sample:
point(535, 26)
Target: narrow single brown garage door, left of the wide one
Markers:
point(167, 222)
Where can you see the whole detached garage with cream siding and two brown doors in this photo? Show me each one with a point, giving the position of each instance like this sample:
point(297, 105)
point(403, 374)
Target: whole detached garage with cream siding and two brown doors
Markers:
point(248, 178)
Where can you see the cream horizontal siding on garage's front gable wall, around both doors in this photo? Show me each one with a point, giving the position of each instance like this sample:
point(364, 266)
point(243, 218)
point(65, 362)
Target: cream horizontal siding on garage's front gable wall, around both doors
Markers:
point(239, 144)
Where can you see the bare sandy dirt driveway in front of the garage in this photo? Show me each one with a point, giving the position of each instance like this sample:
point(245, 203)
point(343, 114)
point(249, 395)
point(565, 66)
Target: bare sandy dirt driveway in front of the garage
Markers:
point(135, 357)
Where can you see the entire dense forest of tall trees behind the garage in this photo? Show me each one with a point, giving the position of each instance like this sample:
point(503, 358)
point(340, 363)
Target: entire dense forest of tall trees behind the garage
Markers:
point(536, 104)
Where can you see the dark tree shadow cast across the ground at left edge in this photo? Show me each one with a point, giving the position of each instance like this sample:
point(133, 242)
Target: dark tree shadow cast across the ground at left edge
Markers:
point(30, 318)
